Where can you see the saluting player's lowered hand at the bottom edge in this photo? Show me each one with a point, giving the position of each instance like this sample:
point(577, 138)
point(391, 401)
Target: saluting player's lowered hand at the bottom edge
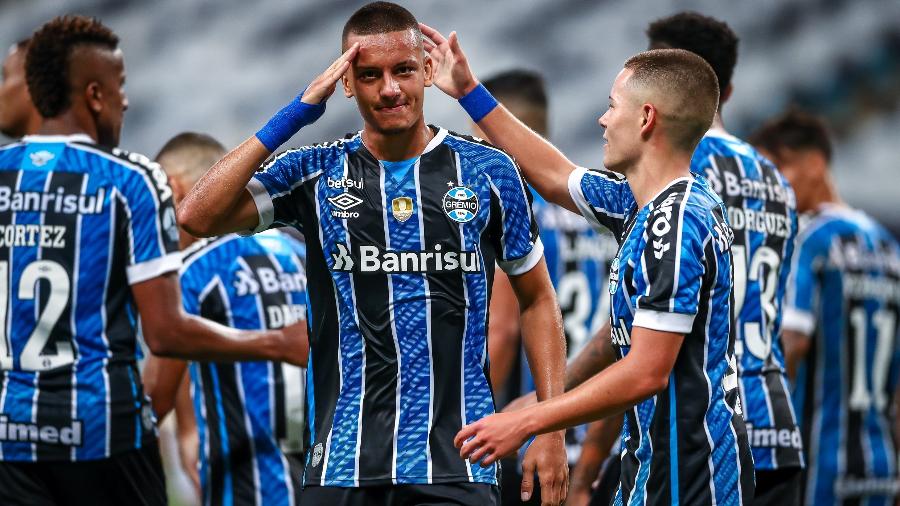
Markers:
point(546, 456)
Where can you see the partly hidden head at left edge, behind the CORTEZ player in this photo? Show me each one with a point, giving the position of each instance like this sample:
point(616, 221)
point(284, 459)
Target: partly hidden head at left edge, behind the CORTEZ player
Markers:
point(18, 116)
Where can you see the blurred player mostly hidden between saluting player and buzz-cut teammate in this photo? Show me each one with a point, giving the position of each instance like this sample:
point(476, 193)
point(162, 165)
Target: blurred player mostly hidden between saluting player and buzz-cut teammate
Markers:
point(578, 259)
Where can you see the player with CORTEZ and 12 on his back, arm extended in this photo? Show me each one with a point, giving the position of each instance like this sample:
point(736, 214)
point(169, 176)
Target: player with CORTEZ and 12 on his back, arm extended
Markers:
point(89, 246)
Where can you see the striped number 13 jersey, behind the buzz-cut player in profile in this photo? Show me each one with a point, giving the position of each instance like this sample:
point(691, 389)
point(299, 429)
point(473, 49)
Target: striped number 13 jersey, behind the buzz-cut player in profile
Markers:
point(762, 212)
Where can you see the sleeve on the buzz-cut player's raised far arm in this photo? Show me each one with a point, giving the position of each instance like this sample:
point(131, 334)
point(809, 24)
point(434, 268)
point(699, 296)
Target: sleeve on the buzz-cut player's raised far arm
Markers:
point(603, 197)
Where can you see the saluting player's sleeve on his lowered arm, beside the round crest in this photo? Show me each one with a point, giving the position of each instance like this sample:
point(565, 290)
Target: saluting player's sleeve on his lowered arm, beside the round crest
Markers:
point(518, 243)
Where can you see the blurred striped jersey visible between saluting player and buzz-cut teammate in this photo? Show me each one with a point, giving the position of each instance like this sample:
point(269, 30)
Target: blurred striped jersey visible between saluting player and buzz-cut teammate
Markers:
point(578, 259)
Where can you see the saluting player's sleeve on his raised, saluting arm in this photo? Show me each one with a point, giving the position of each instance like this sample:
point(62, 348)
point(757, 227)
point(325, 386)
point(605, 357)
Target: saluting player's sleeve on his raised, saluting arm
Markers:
point(277, 188)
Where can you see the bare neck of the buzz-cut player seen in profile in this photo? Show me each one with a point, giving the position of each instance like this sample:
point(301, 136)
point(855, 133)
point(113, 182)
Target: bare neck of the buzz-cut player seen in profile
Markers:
point(655, 171)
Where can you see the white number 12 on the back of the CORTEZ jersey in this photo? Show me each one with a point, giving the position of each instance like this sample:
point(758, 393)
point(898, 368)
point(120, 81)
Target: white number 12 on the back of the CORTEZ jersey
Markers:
point(31, 358)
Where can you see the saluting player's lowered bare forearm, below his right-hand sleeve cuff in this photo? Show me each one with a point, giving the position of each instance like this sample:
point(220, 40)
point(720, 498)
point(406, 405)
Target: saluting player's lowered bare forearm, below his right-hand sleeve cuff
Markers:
point(545, 345)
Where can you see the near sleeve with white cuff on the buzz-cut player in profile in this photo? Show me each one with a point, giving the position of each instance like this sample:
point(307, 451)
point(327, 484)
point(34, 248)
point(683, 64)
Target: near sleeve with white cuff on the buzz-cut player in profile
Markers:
point(671, 267)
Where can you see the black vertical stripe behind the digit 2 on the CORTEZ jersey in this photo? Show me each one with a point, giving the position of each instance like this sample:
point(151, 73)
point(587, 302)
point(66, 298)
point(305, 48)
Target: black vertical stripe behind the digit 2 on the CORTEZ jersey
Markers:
point(54, 404)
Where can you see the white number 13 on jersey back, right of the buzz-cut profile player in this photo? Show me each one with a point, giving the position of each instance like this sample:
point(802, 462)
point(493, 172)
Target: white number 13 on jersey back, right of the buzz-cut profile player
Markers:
point(763, 269)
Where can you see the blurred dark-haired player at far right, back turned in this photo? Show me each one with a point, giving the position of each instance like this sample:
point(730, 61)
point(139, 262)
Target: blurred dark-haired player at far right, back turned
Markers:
point(840, 325)
